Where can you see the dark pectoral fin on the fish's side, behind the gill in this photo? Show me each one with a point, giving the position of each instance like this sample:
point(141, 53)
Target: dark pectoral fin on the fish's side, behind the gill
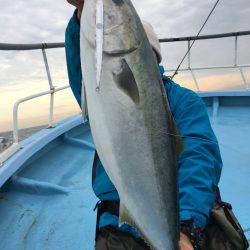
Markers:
point(125, 80)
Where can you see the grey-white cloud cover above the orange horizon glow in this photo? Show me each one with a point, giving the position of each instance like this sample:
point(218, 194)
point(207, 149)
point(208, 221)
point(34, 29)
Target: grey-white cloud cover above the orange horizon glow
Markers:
point(35, 21)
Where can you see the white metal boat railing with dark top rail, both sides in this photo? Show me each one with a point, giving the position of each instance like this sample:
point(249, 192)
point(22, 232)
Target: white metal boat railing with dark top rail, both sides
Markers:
point(52, 89)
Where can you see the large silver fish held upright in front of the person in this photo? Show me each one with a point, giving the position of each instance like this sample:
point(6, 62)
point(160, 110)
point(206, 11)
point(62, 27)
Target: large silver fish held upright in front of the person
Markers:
point(130, 119)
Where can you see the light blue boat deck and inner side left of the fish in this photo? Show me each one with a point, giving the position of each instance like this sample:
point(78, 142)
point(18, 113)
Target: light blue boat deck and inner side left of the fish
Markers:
point(49, 205)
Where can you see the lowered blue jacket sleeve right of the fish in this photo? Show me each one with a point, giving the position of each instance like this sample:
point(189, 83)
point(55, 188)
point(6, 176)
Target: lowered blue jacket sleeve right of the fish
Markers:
point(200, 161)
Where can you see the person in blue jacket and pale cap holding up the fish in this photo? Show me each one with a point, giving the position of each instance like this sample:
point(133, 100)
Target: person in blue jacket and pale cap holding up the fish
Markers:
point(199, 163)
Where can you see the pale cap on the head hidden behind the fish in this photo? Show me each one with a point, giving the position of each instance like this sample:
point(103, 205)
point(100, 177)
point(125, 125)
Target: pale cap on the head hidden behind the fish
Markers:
point(153, 39)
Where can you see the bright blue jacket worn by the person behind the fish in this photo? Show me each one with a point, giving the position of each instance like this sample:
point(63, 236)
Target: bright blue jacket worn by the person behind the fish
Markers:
point(200, 161)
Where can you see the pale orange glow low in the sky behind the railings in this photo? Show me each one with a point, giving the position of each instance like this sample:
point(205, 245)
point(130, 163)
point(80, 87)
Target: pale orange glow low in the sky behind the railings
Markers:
point(36, 112)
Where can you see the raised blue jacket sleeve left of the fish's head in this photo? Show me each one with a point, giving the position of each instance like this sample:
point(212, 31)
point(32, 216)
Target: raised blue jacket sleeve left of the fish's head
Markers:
point(72, 47)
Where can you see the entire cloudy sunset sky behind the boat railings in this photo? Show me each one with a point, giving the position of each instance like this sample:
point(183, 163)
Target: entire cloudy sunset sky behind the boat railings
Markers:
point(35, 21)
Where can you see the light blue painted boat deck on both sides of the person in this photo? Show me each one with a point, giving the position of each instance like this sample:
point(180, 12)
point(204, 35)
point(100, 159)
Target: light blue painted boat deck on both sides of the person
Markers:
point(49, 203)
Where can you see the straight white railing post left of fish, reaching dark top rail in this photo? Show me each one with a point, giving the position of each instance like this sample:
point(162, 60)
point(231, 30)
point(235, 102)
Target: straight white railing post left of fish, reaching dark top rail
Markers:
point(52, 88)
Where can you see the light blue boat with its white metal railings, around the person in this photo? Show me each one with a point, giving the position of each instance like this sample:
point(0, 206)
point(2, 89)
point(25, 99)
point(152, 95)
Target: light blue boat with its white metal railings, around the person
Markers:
point(46, 197)
